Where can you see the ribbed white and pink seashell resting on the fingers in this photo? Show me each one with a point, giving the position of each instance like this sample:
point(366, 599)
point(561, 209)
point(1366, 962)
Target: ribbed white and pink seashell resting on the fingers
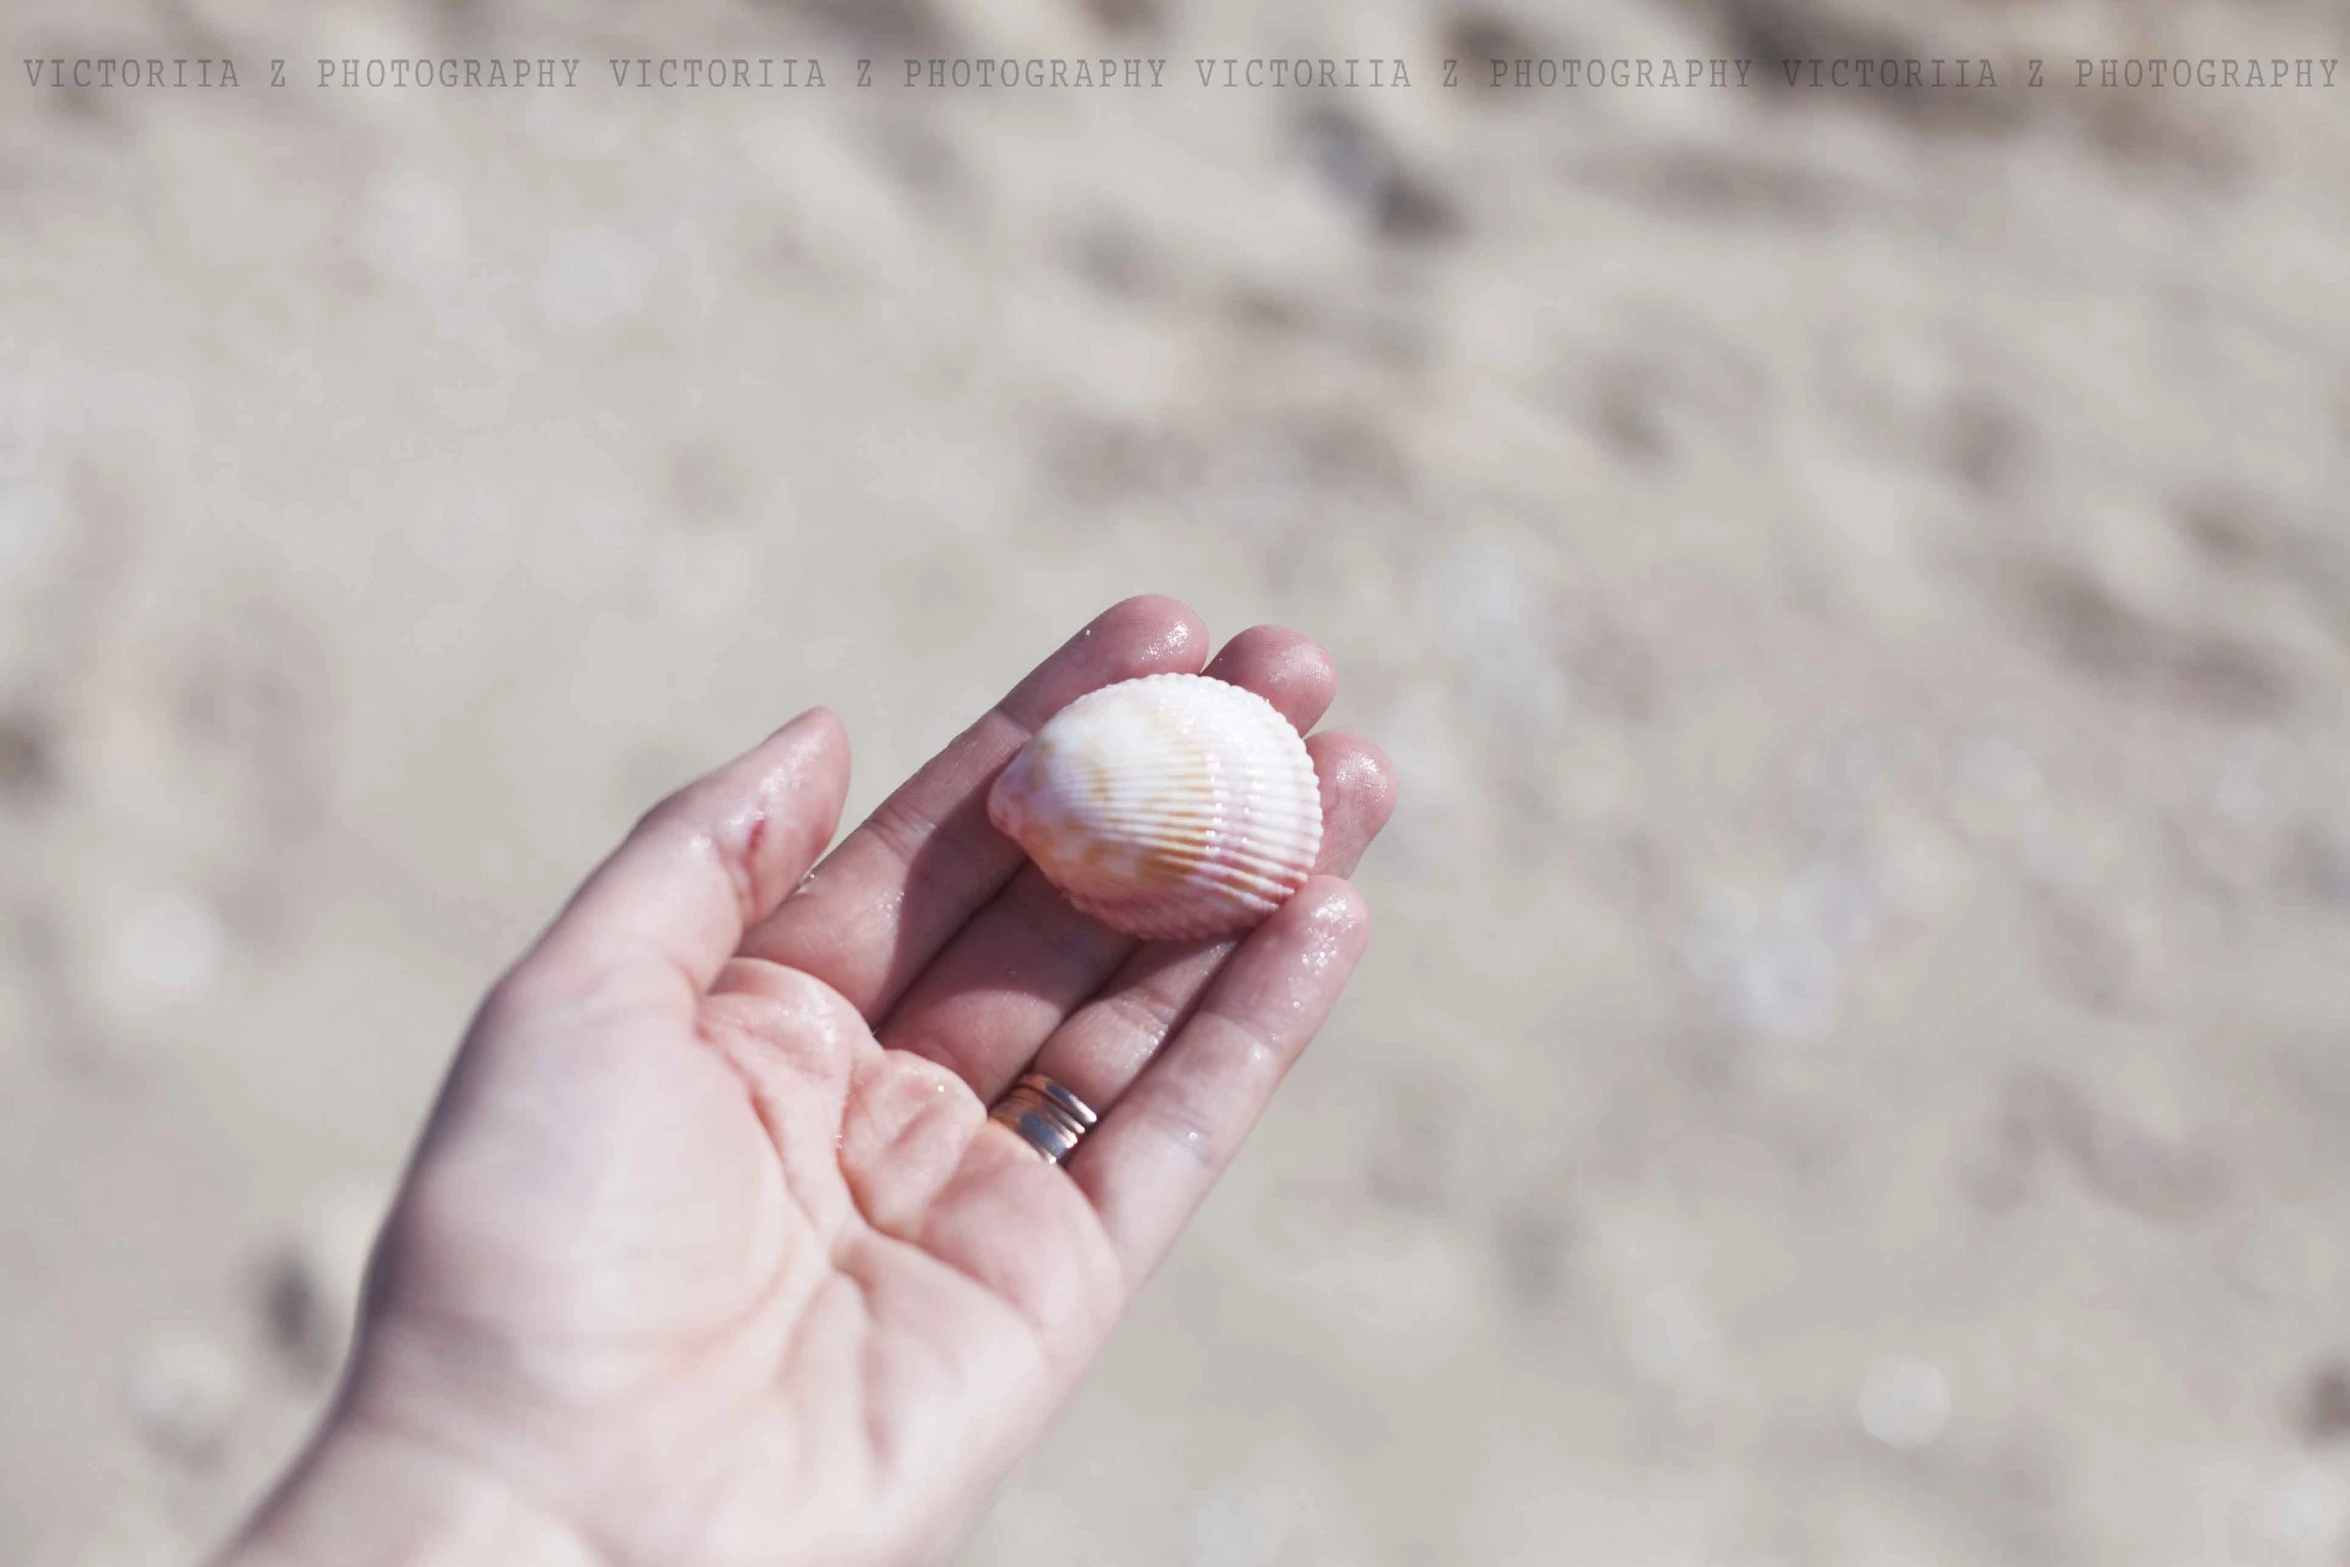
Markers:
point(1167, 807)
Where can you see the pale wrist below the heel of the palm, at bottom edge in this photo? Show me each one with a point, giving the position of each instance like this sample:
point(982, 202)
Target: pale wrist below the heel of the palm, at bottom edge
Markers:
point(370, 1500)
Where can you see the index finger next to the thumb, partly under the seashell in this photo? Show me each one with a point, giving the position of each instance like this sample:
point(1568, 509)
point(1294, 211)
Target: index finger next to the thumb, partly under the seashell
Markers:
point(889, 899)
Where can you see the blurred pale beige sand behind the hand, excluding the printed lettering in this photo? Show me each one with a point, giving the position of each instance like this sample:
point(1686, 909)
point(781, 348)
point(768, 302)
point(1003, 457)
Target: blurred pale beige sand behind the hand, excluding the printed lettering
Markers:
point(1858, 589)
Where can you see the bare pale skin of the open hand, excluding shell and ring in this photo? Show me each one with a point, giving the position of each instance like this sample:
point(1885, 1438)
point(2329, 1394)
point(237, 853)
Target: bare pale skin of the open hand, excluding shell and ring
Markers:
point(711, 1253)
